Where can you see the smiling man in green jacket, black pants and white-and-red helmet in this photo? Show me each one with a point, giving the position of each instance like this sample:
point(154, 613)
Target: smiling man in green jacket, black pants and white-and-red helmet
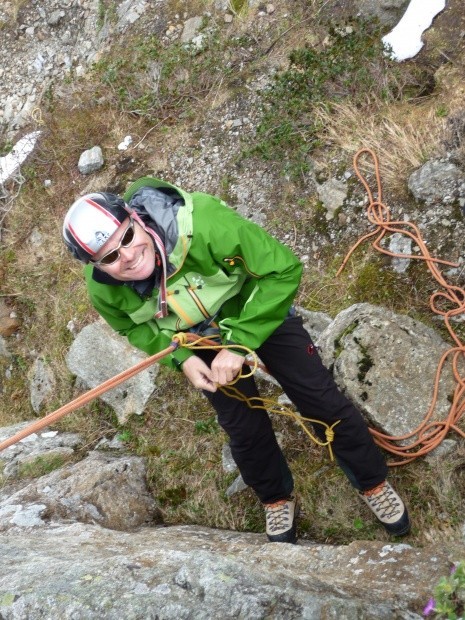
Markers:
point(159, 261)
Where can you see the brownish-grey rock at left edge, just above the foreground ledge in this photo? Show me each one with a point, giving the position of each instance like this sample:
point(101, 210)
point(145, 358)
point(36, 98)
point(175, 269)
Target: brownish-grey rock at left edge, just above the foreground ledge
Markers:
point(103, 489)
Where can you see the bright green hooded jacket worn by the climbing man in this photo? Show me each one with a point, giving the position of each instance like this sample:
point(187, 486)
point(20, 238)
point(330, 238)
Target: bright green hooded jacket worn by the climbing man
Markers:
point(219, 264)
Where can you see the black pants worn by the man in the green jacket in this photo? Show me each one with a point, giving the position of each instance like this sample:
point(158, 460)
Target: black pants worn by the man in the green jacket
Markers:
point(293, 361)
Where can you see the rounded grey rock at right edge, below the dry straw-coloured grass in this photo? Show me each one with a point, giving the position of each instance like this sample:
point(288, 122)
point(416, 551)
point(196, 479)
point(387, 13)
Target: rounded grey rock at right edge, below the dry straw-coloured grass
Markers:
point(437, 181)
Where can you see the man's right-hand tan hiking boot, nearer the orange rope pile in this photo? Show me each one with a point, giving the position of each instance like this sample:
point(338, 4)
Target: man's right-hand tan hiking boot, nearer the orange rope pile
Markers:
point(387, 506)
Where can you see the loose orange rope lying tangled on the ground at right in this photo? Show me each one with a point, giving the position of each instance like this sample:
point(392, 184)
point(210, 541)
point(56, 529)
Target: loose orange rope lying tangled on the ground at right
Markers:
point(430, 433)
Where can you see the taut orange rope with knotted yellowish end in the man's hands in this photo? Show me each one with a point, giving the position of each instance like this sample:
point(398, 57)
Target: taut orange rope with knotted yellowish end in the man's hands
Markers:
point(190, 341)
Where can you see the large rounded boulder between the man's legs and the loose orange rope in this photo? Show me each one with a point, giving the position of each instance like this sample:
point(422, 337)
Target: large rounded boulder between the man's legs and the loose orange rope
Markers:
point(386, 364)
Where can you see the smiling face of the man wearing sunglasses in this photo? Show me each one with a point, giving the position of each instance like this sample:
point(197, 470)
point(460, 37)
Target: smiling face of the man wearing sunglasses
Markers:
point(136, 261)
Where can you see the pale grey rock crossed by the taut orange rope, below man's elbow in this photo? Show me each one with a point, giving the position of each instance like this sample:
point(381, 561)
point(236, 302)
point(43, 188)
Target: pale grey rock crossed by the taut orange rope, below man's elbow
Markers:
point(115, 354)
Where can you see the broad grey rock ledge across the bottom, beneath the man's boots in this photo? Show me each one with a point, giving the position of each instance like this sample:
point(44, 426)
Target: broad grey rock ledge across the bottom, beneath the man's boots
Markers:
point(197, 573)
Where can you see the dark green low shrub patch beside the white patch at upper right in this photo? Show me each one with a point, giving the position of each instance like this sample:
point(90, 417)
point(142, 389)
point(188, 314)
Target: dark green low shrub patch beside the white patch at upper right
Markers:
point(347, 64)
